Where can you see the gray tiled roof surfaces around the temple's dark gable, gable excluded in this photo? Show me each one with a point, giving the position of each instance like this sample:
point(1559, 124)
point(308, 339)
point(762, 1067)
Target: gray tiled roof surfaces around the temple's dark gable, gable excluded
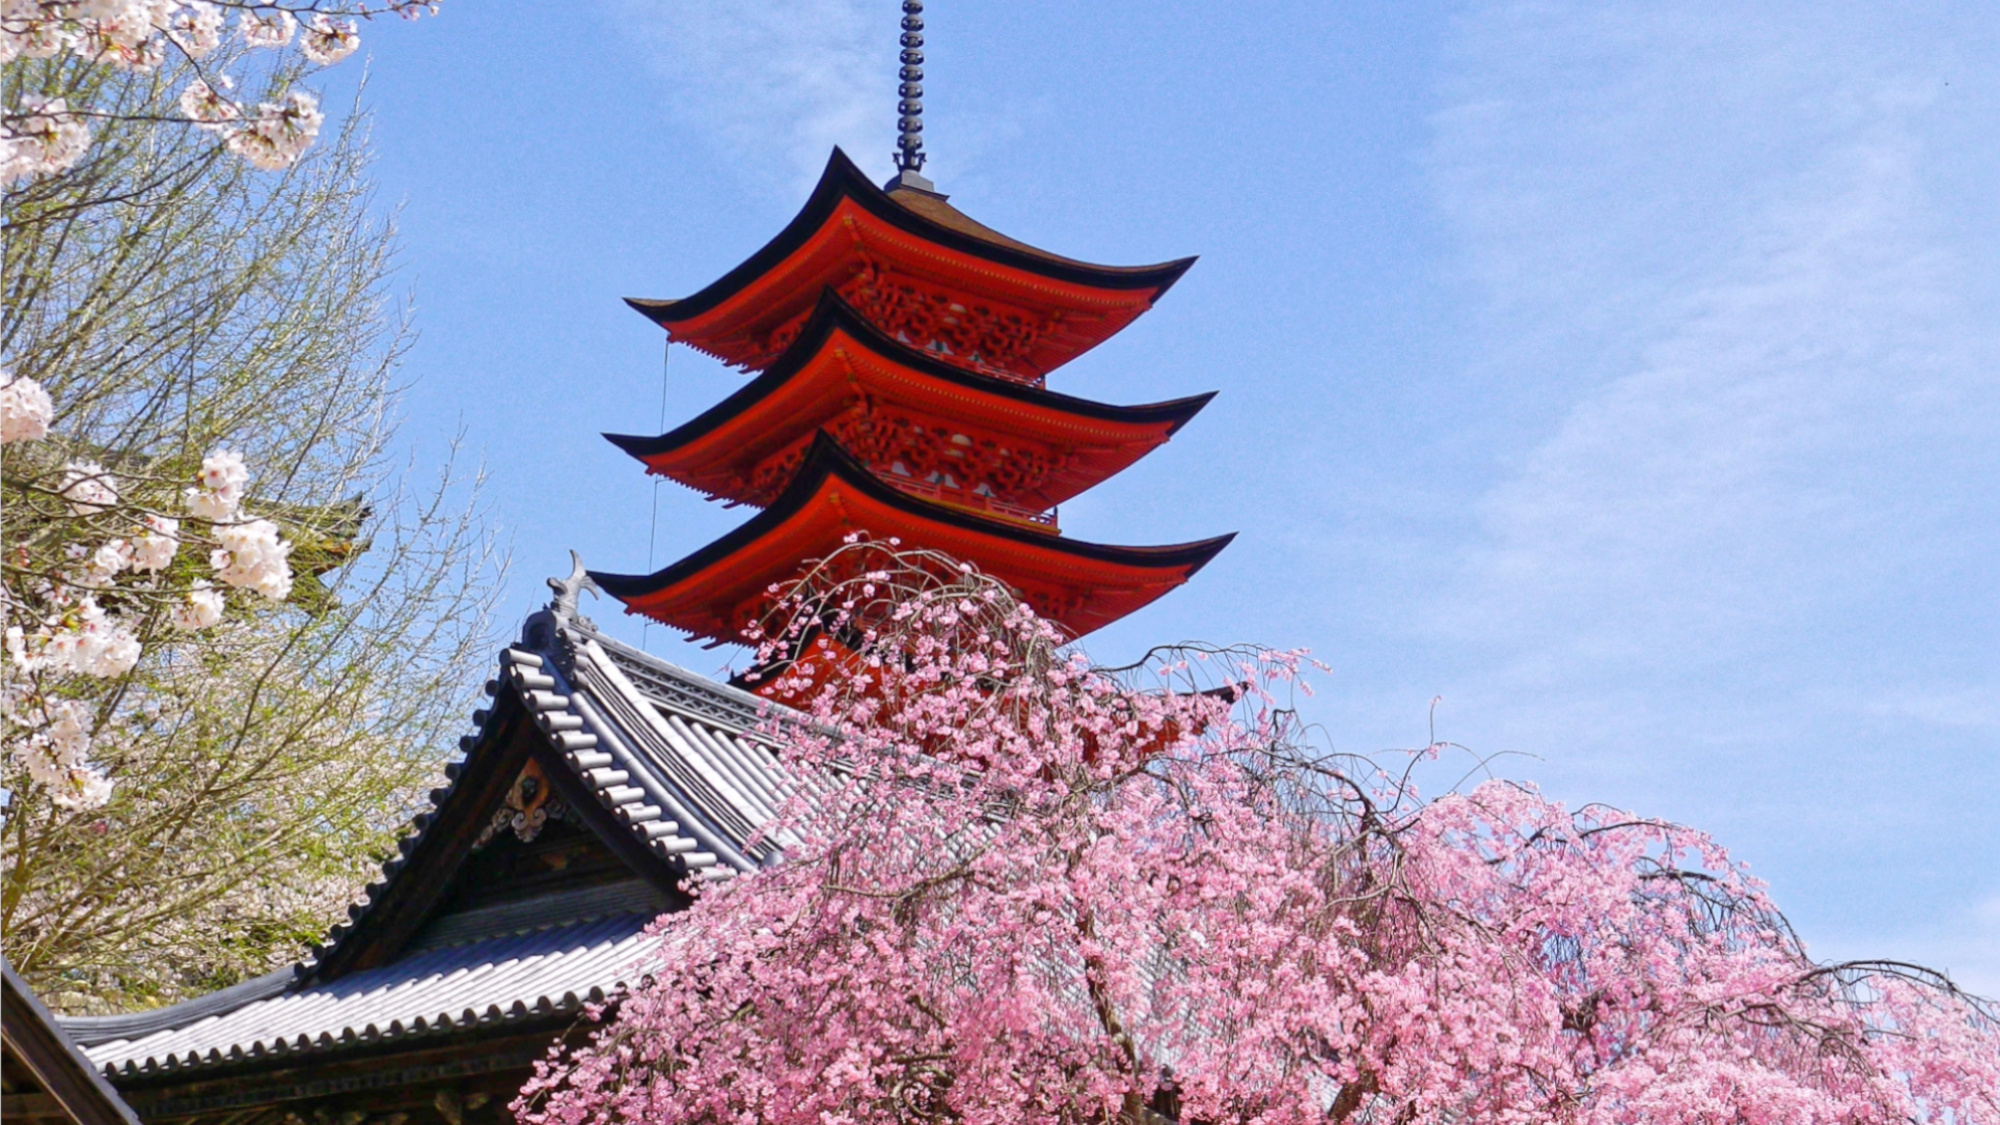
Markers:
point(671, 756)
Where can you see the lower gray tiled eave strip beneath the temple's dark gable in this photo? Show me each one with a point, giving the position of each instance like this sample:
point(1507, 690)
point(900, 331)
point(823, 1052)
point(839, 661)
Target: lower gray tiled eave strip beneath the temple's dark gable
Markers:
point(469, 986)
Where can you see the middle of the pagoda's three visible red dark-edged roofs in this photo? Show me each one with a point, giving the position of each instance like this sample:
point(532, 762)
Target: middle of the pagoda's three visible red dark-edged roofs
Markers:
point(841, 367)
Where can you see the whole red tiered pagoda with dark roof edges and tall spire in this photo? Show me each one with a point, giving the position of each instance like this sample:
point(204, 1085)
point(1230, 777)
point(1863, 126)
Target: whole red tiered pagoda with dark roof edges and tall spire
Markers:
point(901, 355)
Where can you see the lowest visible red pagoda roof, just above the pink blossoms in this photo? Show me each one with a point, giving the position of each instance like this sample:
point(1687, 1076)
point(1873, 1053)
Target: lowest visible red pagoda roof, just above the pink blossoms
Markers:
point(1079, 586)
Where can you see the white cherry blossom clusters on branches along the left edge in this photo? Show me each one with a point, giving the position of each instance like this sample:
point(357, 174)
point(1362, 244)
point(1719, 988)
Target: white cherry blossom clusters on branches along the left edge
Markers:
point(93, 551)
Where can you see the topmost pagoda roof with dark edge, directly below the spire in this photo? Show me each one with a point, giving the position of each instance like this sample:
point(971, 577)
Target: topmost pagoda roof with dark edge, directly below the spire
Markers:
point(851, 227)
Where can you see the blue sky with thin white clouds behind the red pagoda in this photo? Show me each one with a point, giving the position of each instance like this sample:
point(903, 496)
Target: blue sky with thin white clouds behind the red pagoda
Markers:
point(1625, 375)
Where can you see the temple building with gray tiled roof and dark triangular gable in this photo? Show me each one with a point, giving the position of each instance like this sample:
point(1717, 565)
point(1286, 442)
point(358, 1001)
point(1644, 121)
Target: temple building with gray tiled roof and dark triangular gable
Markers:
point(593, 788)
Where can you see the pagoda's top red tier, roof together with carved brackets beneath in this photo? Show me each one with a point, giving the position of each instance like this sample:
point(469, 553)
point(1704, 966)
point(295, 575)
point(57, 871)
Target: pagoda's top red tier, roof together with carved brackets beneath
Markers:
point(923, 273)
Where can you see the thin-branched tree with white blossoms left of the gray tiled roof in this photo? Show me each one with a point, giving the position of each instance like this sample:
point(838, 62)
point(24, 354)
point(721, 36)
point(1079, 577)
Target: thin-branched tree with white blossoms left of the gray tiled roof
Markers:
point(239, 634)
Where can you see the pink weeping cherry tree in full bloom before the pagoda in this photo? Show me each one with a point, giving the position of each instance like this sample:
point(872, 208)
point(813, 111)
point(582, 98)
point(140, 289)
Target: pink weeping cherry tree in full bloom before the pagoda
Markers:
point(1019, 888)
